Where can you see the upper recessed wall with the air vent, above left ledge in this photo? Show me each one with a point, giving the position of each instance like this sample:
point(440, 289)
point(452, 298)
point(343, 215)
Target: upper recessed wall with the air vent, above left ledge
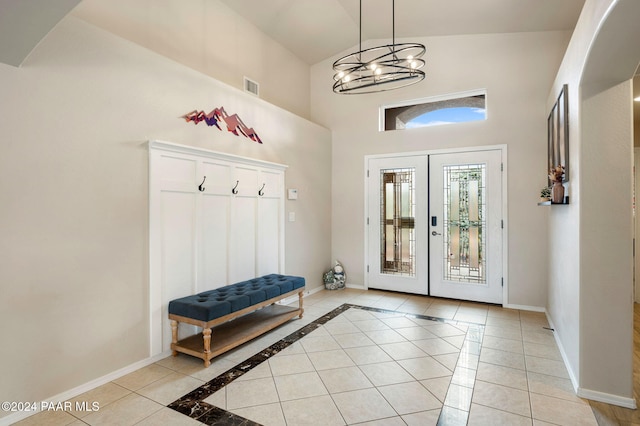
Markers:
point(208, 36)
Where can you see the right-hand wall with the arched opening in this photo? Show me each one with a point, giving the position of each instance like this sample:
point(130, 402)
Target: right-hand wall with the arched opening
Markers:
point(590, 280)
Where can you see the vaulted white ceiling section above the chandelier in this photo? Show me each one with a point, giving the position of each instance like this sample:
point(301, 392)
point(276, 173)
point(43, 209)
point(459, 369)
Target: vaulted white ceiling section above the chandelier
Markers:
point(317, 29)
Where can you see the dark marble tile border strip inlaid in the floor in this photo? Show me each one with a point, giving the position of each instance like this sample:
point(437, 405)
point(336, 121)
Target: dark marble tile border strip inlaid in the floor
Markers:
point(192, 404)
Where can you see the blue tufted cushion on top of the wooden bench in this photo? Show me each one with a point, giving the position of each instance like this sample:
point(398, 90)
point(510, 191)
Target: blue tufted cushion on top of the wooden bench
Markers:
point(213, 304)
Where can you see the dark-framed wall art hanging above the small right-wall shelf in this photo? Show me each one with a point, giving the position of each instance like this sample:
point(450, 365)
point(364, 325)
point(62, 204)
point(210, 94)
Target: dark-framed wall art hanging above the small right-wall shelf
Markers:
point(558, 134)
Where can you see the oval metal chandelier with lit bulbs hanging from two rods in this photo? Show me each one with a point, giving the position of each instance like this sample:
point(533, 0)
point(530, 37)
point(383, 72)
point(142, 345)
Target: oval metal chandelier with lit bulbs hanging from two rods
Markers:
point(380, 68)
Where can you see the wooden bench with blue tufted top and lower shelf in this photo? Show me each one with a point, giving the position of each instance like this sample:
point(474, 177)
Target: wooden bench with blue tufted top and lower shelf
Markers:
point(250, 304)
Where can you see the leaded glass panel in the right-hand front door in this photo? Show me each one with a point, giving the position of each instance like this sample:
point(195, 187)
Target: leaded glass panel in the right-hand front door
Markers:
point(464, 223)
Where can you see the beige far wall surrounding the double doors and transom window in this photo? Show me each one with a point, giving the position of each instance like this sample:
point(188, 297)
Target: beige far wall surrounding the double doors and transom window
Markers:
point(517, 70)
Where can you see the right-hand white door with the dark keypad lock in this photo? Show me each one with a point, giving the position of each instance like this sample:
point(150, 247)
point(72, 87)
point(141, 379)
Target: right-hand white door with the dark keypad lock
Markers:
point(465, 226)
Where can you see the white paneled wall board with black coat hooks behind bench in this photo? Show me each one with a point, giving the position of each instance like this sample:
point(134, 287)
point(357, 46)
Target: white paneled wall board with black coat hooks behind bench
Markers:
point(215, 219)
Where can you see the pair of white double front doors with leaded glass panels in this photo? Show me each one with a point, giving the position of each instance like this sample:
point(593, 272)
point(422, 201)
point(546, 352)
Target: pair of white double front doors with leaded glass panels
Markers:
point(435, 225)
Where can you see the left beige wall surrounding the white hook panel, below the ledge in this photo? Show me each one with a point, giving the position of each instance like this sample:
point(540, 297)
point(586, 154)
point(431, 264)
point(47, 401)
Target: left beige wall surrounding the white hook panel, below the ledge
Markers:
point(74, 120)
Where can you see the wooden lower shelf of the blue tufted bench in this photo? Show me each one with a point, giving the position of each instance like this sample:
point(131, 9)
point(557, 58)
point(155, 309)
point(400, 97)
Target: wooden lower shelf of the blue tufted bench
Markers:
point(228, 335)
